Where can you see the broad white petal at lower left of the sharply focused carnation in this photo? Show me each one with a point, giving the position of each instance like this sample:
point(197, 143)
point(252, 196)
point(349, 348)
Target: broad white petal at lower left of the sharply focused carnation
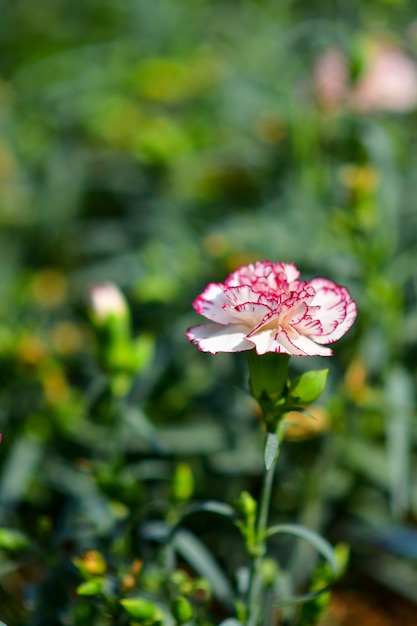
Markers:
point(217, 338)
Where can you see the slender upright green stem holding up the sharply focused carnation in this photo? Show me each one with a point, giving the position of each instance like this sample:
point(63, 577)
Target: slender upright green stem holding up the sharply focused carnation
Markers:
point(255, 586)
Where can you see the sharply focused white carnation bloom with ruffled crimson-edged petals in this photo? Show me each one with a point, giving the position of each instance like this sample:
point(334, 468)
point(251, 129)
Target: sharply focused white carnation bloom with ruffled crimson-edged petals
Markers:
point(264, 306)
